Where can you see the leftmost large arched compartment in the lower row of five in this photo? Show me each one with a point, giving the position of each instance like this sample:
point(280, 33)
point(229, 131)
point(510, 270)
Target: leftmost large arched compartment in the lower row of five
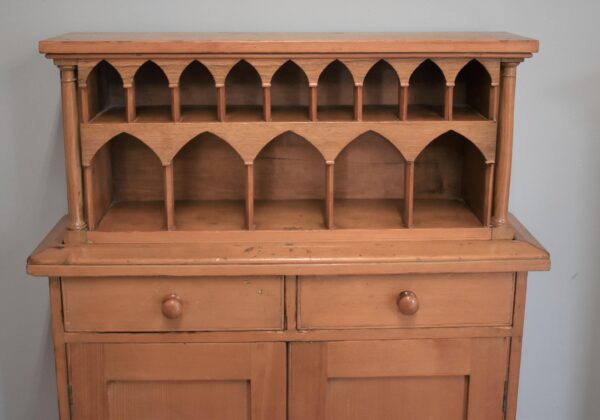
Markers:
point(127, 186)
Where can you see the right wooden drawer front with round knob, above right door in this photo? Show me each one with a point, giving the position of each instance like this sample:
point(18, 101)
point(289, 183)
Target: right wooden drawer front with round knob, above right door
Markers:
point(334, 302)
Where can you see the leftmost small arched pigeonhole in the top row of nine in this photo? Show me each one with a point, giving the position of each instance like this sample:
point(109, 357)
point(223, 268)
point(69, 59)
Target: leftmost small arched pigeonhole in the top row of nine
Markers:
point(106, 96)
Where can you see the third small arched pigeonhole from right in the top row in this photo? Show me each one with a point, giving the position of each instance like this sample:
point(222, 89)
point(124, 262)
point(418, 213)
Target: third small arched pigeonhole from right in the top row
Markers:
point(381, 93)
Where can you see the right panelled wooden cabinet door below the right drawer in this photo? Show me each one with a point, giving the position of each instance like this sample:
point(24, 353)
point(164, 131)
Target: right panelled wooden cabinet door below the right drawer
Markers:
point(441, 379)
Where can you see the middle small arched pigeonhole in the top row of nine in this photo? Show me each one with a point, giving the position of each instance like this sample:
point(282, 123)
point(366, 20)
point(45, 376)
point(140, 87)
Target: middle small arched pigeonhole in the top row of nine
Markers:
point(289, 94)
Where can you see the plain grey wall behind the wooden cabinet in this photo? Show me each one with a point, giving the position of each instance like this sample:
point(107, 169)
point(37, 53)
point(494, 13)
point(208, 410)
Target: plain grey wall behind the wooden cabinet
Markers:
point(555, 173)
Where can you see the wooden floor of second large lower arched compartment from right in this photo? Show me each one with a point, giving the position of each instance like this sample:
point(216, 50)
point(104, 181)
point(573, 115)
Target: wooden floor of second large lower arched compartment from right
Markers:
point(368, 214)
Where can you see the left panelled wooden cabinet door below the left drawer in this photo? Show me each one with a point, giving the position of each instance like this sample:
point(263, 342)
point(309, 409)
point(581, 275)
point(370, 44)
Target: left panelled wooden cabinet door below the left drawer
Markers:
point(178, 381)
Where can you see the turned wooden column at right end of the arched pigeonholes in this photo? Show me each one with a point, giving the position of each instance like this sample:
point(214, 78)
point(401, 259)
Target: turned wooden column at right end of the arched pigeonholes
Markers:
point(504, 143)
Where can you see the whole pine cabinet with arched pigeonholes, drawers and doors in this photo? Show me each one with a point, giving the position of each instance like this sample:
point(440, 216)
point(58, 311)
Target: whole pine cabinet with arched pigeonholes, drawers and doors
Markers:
point(288, 226)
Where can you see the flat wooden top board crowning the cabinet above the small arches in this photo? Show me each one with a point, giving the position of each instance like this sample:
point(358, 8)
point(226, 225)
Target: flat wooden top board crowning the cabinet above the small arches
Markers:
point(500, 44)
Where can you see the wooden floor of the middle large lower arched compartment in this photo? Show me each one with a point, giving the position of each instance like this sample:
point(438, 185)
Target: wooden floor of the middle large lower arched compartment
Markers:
point(289, 214)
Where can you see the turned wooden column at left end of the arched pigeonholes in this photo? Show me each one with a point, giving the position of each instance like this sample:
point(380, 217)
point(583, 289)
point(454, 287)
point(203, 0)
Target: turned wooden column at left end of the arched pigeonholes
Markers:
point(72, 147)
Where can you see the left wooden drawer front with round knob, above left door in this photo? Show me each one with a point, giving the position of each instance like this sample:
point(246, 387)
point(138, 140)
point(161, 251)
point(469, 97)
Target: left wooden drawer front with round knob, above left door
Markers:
point(173, 303)
